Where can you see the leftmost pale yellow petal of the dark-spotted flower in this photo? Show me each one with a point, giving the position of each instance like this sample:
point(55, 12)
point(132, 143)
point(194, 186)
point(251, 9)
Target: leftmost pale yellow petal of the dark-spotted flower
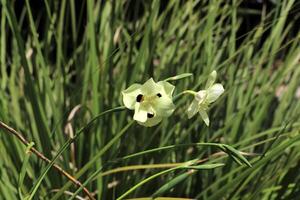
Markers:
point(130, 94)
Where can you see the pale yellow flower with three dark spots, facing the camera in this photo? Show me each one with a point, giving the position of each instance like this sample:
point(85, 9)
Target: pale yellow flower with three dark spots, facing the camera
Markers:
point(151, 101)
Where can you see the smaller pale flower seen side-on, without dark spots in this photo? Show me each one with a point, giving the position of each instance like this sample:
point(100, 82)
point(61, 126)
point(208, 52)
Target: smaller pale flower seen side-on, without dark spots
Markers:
point(204, 98)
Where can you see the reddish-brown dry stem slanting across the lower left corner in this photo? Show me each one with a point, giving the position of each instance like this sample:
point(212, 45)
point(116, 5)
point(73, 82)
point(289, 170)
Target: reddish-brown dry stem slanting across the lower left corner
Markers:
point(43, 157)
